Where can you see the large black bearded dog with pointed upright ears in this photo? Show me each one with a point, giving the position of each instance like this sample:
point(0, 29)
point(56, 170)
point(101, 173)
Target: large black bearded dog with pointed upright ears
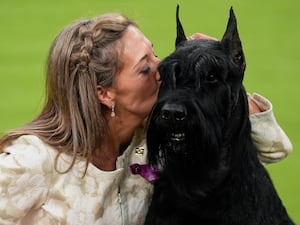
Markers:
point(199, 137)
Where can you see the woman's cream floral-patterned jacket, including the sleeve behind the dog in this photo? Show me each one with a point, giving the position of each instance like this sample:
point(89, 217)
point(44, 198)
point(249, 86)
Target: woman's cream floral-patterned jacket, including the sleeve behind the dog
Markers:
point(32, 192)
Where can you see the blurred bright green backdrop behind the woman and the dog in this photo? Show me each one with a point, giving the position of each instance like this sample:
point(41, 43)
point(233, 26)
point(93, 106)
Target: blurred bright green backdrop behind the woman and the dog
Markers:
point(269, 29)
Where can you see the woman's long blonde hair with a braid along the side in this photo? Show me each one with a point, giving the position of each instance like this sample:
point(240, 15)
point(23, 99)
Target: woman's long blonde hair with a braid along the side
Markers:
point(82, 56)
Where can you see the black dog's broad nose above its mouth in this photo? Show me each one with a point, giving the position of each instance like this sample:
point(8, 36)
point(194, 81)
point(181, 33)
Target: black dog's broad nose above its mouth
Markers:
point(175, 112)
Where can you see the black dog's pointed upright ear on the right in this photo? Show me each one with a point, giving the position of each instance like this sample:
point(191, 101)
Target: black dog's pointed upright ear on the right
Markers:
point(231, 41)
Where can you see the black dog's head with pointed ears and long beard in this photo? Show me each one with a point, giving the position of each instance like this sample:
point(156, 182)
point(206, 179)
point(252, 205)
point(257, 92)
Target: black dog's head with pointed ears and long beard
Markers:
point(201, 103)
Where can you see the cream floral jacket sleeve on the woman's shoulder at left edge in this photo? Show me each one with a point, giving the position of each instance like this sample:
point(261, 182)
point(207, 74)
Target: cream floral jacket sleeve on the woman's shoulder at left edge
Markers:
point(24, 179)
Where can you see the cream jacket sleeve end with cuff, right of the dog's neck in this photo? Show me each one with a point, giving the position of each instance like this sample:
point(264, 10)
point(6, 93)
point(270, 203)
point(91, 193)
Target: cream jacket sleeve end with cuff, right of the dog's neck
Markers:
point(271, 141)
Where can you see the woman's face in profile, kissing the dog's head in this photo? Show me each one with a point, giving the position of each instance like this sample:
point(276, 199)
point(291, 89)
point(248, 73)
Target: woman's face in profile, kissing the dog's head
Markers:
point(137, 84)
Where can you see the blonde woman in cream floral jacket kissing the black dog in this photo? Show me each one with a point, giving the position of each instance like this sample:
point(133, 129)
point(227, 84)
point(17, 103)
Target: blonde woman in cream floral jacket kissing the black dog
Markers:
point(70, 165)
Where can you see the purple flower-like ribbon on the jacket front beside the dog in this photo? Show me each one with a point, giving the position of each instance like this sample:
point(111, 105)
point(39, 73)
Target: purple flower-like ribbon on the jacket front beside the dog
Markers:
point(144, 170)
